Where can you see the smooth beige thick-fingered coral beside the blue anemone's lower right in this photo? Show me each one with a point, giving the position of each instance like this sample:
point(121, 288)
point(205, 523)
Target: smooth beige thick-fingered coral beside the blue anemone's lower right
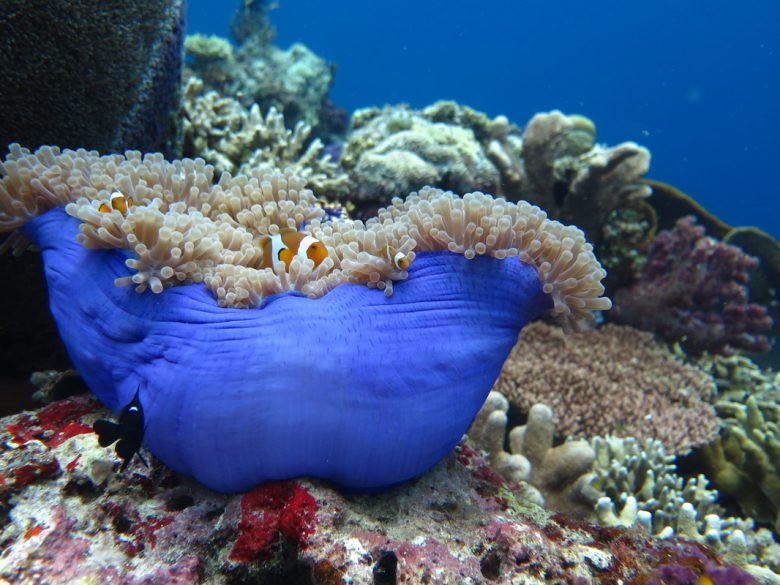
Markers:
point(559, 476)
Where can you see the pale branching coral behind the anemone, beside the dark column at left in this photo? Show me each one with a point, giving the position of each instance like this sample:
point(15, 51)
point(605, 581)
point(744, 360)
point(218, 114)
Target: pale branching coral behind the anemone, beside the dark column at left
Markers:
point(232, 138)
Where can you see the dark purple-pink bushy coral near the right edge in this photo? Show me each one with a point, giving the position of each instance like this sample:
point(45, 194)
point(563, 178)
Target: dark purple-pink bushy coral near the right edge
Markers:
point(693, 289)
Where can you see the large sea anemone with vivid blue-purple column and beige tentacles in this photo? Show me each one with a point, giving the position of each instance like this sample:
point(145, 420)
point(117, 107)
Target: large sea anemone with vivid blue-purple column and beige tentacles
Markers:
point(304, 383)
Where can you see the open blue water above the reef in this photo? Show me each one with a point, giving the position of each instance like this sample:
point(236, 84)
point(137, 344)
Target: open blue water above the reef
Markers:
point(697, 82)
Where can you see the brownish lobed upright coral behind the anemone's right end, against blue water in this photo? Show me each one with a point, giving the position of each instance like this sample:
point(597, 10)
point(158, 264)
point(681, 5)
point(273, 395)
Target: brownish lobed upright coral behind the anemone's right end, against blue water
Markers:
point(574, 179)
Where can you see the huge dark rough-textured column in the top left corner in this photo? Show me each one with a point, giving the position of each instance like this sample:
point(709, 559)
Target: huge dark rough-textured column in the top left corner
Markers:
point(116, 92)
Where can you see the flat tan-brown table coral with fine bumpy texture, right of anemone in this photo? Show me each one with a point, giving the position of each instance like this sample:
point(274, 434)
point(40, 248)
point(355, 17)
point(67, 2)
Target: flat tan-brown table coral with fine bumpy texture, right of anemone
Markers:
point(605, 381)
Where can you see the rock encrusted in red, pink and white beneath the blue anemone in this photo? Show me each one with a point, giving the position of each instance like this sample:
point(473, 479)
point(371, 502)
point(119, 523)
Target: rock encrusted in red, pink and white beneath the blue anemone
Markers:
point(457, 523)
